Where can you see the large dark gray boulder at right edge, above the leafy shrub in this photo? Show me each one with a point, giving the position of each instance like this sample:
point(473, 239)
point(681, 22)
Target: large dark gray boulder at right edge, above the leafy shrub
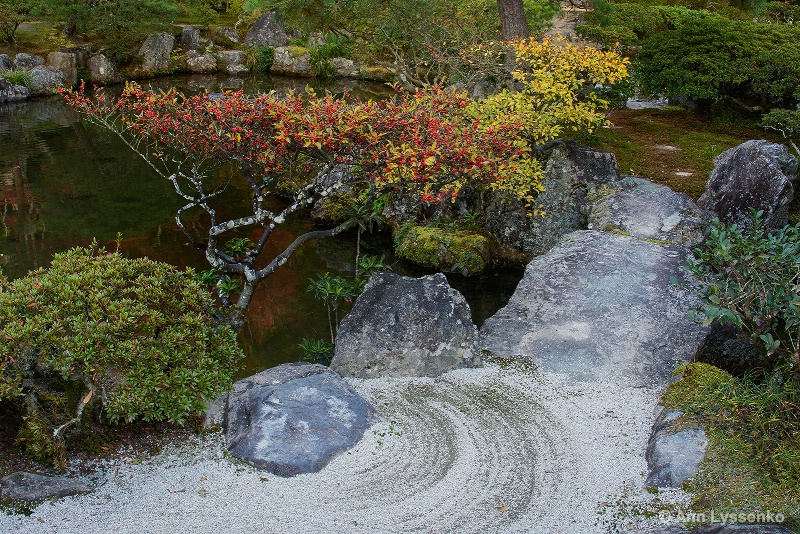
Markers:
point(755, 174)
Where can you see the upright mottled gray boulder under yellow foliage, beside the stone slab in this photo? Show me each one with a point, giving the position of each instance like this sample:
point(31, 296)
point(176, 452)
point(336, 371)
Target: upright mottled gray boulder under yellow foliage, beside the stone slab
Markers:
point(571, 173)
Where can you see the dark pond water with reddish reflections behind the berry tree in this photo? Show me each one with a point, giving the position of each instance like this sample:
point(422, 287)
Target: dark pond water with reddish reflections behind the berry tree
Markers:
point(64, 183)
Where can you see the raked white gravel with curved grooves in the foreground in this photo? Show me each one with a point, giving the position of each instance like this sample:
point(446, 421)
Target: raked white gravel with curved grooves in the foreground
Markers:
point(475, 450)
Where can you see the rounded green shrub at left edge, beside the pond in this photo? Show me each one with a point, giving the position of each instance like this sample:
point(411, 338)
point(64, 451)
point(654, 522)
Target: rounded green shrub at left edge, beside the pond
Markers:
point(133, 338)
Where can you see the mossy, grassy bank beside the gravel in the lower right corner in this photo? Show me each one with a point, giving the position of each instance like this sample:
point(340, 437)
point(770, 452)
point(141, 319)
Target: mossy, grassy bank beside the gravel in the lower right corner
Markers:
point(753, 459)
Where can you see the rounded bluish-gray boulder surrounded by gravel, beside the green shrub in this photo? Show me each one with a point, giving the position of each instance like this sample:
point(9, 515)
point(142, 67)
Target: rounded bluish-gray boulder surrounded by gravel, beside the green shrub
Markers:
point(294, 418)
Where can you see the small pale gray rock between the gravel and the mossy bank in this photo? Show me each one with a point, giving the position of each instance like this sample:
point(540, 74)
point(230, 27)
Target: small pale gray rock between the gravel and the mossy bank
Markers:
point(673, 454)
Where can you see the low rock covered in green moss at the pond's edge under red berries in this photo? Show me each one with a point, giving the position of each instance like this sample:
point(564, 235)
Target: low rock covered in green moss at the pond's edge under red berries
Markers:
point(443, 248)
